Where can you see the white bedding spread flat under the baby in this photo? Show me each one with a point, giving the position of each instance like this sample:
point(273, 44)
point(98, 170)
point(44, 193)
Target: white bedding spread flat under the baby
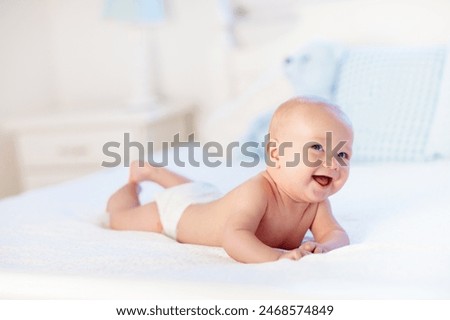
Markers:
point(52, 244)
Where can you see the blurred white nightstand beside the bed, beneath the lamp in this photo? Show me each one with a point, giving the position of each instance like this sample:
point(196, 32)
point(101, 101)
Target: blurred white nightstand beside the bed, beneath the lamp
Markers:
point(56, 147)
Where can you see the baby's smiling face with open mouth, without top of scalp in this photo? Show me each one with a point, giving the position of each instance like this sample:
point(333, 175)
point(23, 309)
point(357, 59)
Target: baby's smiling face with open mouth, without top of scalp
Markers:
point(317, 164)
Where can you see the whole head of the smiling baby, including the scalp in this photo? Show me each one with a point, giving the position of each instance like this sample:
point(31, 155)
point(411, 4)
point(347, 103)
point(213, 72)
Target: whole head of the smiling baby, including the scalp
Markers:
point(310, 148)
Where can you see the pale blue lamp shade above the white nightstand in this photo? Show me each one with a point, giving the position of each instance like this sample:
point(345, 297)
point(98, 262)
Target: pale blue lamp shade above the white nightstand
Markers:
point(135, 11)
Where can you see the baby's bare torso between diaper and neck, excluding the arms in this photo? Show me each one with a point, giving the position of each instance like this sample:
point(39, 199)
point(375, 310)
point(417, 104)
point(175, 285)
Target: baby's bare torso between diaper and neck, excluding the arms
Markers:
point(275, 222)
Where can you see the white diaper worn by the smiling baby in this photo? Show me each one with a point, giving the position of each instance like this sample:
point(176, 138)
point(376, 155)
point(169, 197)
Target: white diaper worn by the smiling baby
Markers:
point(173, 201)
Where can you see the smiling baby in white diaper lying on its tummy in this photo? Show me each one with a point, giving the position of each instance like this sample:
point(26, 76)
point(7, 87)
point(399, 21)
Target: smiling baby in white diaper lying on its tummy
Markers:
point(266, 217)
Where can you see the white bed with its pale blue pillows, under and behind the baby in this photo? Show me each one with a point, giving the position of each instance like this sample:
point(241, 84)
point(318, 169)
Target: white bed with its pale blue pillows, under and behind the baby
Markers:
point(54, 243)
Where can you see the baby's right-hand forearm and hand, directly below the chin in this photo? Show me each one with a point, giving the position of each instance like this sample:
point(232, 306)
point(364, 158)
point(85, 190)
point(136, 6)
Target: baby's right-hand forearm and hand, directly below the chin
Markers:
point(327, 232)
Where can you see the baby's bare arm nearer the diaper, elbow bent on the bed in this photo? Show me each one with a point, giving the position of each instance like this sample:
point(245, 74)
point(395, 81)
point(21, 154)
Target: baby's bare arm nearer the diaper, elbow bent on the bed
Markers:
point(248, 203)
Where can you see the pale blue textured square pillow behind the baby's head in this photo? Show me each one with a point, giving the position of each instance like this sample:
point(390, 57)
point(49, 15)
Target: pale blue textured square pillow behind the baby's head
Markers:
point(390, 94)
